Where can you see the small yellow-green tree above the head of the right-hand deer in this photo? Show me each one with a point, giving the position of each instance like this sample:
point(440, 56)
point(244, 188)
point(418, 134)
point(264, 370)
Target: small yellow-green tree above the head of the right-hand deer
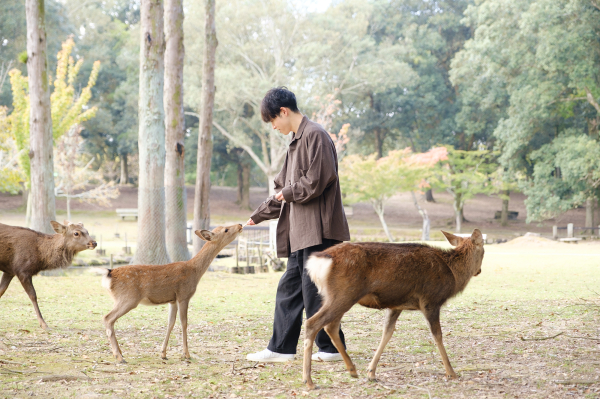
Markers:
point(463, 175)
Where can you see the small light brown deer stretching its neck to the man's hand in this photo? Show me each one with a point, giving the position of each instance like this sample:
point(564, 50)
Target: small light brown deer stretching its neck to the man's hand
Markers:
point(173, 283)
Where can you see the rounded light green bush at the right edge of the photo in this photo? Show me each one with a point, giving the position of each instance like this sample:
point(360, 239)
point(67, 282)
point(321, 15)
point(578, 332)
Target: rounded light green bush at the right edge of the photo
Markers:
point(566, 173)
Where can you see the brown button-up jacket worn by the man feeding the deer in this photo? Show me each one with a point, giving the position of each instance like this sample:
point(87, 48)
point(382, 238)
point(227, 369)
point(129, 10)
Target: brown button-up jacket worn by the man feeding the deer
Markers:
point(313, 199)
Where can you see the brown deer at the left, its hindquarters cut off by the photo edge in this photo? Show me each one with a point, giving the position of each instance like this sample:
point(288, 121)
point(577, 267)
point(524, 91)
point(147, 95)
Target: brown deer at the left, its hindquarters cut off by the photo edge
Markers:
point(25, 252)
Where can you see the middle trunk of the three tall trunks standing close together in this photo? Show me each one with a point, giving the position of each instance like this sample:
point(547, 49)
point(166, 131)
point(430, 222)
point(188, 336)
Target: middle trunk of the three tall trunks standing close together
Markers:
point(175, 193)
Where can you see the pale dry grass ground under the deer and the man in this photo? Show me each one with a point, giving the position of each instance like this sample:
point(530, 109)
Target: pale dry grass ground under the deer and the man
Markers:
point(523, 292)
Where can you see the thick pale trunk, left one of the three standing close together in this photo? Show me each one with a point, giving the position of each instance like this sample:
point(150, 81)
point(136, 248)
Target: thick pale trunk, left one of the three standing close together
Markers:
point(151, 247)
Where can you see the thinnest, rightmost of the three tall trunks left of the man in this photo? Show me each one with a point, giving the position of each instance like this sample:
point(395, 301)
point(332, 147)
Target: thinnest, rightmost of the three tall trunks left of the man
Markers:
point(202, 192)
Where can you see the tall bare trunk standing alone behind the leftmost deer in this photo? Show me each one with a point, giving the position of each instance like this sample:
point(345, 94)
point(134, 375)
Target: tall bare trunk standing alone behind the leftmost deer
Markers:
point(40, 123)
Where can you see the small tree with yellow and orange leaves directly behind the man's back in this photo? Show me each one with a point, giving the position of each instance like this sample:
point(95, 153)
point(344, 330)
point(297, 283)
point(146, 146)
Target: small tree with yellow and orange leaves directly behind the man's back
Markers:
point(369, 179)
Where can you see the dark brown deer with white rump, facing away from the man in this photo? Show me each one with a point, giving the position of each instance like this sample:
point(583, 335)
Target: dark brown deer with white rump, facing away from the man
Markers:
point(394, 277)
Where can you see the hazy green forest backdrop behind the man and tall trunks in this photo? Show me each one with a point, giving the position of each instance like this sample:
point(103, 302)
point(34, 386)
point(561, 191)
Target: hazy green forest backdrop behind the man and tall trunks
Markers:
point(511, 89)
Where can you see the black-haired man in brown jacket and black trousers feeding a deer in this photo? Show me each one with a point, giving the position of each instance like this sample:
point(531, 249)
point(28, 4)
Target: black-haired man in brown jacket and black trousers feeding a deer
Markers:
point(308, 204)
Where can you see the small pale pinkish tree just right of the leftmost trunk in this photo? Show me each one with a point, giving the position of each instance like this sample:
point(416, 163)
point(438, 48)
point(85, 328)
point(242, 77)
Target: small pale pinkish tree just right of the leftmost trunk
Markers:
point(75, 178)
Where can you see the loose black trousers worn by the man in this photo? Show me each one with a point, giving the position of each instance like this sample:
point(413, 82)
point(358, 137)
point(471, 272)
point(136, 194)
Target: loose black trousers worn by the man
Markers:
point(296, 292)
